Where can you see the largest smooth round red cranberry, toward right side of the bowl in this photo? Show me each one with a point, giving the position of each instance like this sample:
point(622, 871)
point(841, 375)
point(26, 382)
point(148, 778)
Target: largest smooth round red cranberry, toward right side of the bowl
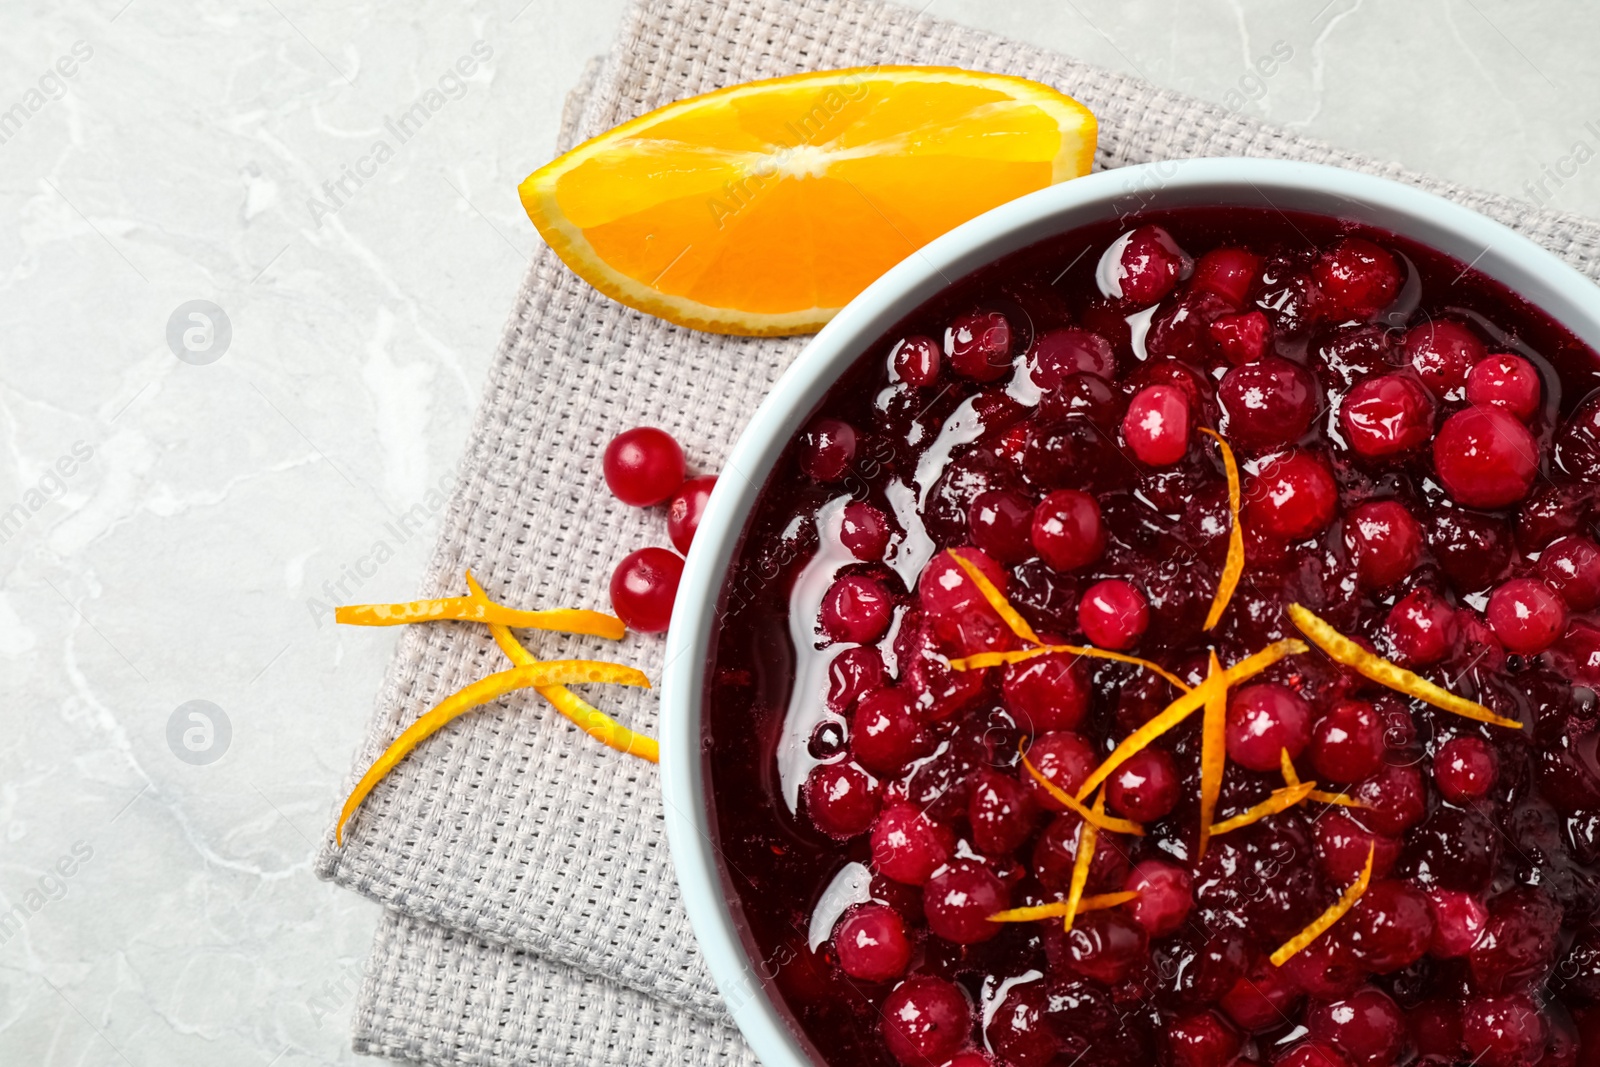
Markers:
point(1486, 458)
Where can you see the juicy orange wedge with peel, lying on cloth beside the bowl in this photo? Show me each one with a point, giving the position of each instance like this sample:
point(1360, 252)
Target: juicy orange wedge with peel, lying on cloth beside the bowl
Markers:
point(764, 209)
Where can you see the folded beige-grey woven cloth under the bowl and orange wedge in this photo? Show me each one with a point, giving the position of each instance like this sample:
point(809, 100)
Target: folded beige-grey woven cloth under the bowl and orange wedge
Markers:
point(534, 916)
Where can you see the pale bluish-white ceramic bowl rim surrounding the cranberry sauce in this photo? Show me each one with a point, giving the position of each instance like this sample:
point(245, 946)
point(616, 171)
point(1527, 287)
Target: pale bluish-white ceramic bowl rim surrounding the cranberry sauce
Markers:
point(1470, 238)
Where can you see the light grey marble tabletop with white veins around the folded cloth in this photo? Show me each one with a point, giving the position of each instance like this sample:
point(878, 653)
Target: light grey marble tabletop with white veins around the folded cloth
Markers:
point(223, 377)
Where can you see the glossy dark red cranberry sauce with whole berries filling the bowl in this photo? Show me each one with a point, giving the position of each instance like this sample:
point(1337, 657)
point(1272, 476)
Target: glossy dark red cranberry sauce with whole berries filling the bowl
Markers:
point(1420, 457)
